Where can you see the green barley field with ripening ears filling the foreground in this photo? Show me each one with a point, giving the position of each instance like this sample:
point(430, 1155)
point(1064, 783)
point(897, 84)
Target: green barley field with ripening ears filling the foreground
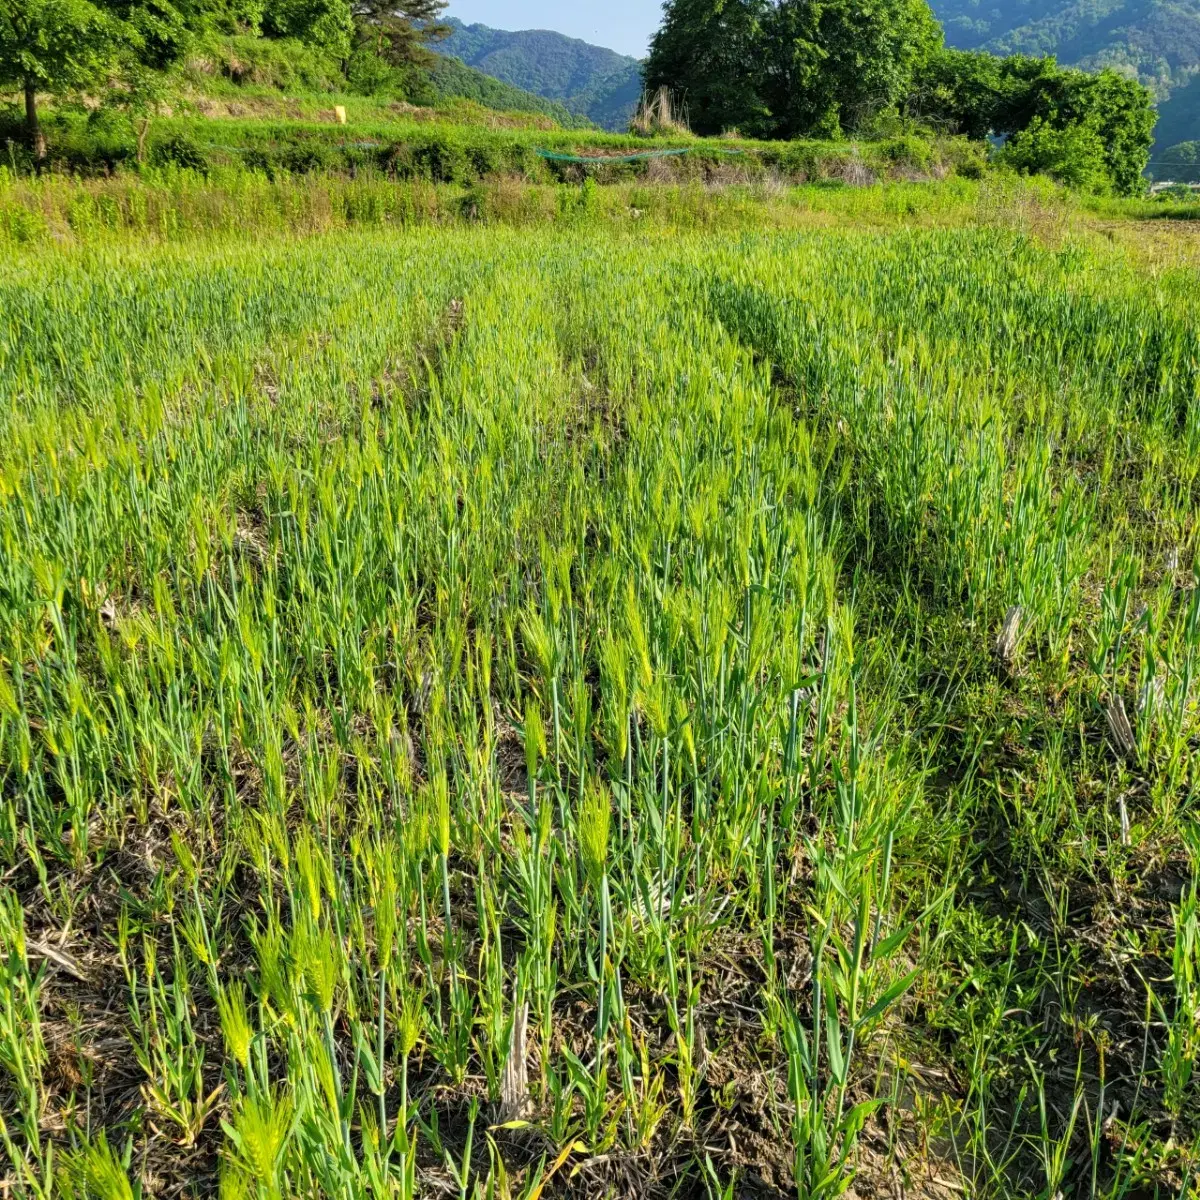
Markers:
point(529, 713)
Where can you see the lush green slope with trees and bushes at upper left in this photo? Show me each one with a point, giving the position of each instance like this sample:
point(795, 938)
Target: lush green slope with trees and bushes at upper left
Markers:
point(106, 74)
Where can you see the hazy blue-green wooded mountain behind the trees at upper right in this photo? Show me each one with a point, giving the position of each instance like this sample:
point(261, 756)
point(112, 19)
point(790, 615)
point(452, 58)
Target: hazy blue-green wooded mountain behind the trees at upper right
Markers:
point(1160, 40)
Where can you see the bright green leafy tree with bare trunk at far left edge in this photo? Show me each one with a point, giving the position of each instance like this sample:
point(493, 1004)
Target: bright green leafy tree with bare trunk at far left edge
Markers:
point(55, 46)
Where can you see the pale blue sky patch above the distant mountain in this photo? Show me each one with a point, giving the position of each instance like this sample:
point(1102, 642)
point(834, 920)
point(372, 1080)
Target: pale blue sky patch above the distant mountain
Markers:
point(622, 26)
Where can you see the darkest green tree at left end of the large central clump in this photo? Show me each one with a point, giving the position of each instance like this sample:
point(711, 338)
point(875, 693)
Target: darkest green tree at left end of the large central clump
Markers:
point(709, 55)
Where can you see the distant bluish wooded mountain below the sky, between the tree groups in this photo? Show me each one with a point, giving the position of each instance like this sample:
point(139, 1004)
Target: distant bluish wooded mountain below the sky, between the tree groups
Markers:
point(587, 80)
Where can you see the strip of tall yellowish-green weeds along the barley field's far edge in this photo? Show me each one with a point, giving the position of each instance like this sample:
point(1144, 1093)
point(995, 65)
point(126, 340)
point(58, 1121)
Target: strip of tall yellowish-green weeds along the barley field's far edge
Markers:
point(179, 206)
